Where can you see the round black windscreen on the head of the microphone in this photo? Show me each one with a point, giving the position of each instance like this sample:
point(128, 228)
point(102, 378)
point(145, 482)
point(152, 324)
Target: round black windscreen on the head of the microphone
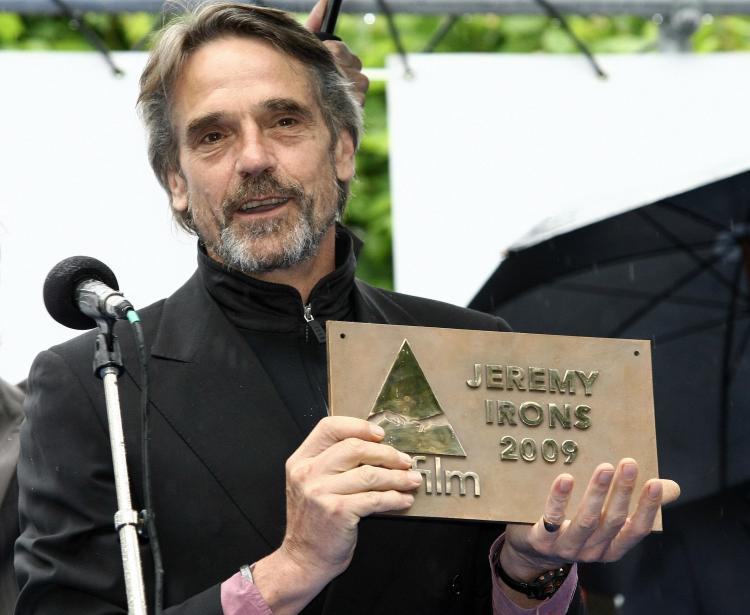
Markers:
point(60, 289)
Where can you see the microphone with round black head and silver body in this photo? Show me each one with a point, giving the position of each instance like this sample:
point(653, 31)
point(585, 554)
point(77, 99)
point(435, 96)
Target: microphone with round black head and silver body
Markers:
point(80, 290)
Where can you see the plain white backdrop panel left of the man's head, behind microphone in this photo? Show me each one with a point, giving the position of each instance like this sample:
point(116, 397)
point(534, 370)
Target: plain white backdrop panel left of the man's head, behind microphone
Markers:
point(74, 179)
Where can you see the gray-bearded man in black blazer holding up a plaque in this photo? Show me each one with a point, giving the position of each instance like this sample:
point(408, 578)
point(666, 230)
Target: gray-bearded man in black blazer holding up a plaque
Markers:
point(253, 133)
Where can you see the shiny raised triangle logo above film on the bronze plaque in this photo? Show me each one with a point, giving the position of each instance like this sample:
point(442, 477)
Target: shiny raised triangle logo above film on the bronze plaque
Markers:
point(409, 412)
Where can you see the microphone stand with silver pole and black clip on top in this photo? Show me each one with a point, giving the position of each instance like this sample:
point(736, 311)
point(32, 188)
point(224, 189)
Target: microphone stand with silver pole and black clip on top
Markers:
point(108, 367)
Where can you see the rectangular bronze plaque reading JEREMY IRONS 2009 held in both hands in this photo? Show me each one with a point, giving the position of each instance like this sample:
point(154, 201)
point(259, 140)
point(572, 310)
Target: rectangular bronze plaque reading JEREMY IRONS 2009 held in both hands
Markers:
point(491, 418)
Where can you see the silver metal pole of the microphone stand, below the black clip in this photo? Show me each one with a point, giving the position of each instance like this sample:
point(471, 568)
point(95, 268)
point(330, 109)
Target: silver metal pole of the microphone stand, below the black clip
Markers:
point(126, 519)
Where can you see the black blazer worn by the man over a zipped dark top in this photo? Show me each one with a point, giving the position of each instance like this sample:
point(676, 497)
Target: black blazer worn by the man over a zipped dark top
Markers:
point(220, 436)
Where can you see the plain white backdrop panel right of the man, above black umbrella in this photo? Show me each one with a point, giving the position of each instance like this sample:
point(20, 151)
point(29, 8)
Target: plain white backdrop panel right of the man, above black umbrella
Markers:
point(484, 147)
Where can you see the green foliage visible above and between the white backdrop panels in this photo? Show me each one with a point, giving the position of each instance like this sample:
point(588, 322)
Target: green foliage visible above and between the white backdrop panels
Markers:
point(369, 210)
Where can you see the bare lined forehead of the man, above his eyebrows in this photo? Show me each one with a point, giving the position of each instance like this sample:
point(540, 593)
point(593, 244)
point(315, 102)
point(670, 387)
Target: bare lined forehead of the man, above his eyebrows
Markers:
point(236, 74)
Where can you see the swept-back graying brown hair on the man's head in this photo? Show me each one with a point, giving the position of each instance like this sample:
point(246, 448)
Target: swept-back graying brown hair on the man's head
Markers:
point(186, 33)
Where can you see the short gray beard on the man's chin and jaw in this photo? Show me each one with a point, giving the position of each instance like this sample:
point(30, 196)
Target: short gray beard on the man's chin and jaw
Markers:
point(301, 242)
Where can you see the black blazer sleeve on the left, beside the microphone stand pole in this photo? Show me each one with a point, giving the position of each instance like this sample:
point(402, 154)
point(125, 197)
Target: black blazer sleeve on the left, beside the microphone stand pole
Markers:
point(68, 556)
